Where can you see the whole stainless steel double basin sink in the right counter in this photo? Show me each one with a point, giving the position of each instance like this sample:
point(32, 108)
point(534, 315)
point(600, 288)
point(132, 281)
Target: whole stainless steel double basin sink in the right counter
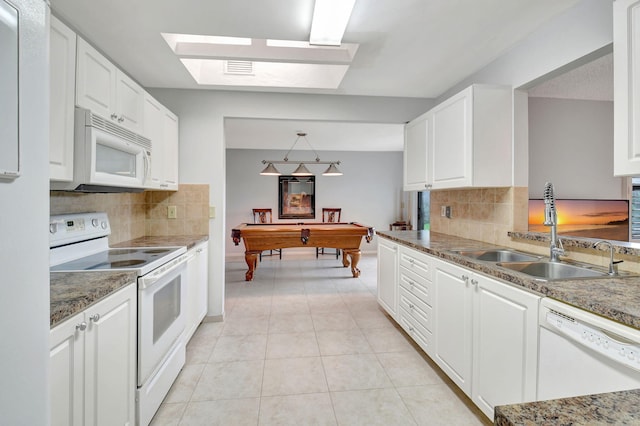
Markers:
point(535, 266)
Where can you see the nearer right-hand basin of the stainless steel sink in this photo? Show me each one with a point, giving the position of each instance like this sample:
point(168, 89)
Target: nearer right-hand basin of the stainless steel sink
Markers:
point(550, 271)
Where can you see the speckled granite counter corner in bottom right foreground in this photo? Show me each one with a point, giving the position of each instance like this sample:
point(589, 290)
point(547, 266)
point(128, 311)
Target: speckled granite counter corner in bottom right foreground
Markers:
point(620, 408)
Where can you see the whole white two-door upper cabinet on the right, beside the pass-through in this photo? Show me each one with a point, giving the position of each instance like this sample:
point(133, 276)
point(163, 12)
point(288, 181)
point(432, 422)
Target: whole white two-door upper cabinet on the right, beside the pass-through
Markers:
point(466, 141)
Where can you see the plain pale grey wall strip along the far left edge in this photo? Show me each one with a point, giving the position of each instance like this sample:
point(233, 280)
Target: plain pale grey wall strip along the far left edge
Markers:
point(24, 247)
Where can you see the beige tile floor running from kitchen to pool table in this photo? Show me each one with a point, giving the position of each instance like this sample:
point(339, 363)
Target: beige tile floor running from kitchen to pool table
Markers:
point(307, 344)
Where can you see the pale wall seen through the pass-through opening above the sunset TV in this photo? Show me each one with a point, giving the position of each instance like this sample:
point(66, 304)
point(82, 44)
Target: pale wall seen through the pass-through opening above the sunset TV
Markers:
point(571, 145)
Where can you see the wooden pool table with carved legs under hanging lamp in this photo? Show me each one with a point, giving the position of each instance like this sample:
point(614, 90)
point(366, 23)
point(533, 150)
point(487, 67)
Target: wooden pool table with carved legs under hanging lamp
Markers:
point(268, 236)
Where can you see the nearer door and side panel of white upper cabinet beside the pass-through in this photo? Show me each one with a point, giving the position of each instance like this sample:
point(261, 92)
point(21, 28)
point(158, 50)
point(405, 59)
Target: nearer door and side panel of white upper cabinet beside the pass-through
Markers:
point(472, 139)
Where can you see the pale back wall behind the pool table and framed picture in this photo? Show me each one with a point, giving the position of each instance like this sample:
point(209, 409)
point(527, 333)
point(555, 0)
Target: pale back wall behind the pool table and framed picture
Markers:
point(368, 192)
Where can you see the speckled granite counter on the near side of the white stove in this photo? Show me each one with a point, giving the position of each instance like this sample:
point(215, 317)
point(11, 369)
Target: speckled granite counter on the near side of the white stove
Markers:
point(73, 292)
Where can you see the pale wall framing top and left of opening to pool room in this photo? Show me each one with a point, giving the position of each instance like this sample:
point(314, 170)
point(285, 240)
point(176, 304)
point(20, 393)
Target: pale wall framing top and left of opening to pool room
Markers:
point(202, 147)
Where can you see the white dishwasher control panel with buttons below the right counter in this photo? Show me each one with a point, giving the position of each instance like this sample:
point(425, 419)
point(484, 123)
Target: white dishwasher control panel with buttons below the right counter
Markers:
point(605, 342)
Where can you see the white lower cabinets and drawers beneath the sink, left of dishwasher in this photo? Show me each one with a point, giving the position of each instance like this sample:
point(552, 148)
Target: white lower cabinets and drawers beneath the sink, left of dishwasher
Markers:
point(483, 333)
